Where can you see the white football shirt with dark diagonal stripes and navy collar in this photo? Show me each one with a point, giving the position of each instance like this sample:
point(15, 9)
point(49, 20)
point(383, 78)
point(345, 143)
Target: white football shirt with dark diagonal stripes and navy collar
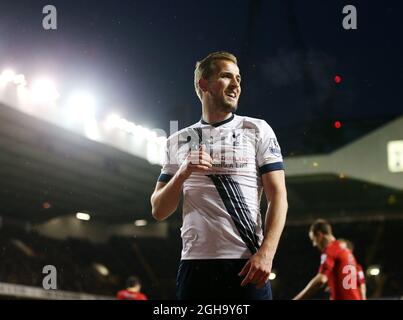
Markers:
point(221, 210)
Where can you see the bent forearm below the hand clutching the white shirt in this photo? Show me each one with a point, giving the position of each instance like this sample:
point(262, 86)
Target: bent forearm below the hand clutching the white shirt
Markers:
point(165, 201)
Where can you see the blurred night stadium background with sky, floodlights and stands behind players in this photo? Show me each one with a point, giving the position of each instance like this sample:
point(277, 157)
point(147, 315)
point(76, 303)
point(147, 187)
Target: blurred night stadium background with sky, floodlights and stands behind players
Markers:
point(85, 110)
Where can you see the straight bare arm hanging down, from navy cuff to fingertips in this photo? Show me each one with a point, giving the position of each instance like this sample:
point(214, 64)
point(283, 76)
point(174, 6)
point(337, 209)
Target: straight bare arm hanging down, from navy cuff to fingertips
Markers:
point(258, 268)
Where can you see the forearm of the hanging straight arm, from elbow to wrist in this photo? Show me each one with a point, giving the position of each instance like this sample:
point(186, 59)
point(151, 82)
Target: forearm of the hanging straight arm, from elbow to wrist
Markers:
point(275, 220)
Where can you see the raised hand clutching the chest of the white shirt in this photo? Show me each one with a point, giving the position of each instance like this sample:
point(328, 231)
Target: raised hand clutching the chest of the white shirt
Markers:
point(196, 161)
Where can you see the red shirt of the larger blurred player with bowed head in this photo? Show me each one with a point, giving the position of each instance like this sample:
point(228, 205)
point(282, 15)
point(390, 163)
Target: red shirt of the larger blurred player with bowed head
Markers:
point(340, 267)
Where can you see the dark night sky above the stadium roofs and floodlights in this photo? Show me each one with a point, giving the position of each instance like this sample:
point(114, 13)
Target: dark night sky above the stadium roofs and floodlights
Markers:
point(138, 57)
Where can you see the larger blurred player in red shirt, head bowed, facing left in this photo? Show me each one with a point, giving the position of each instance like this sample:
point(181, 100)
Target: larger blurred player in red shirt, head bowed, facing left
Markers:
point(338, 266)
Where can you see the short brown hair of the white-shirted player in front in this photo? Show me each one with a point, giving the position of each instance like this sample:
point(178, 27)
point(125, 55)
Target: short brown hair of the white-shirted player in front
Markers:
point(205, 68)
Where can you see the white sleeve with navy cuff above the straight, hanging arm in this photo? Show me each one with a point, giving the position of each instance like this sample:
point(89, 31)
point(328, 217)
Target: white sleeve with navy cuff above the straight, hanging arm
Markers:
point(269, 157)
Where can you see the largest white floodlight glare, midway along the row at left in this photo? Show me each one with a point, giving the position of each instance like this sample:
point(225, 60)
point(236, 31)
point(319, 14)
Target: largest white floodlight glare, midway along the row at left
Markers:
point(81, 107)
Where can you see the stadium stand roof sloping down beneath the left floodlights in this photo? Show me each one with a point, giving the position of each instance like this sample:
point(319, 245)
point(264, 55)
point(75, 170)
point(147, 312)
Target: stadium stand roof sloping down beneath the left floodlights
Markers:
point(48, 171)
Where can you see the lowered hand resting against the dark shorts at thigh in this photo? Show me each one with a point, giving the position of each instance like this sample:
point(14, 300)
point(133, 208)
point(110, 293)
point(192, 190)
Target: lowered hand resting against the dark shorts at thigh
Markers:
point(257, 270)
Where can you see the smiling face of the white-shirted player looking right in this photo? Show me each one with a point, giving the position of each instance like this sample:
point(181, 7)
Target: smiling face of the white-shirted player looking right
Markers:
point(225, 86)
